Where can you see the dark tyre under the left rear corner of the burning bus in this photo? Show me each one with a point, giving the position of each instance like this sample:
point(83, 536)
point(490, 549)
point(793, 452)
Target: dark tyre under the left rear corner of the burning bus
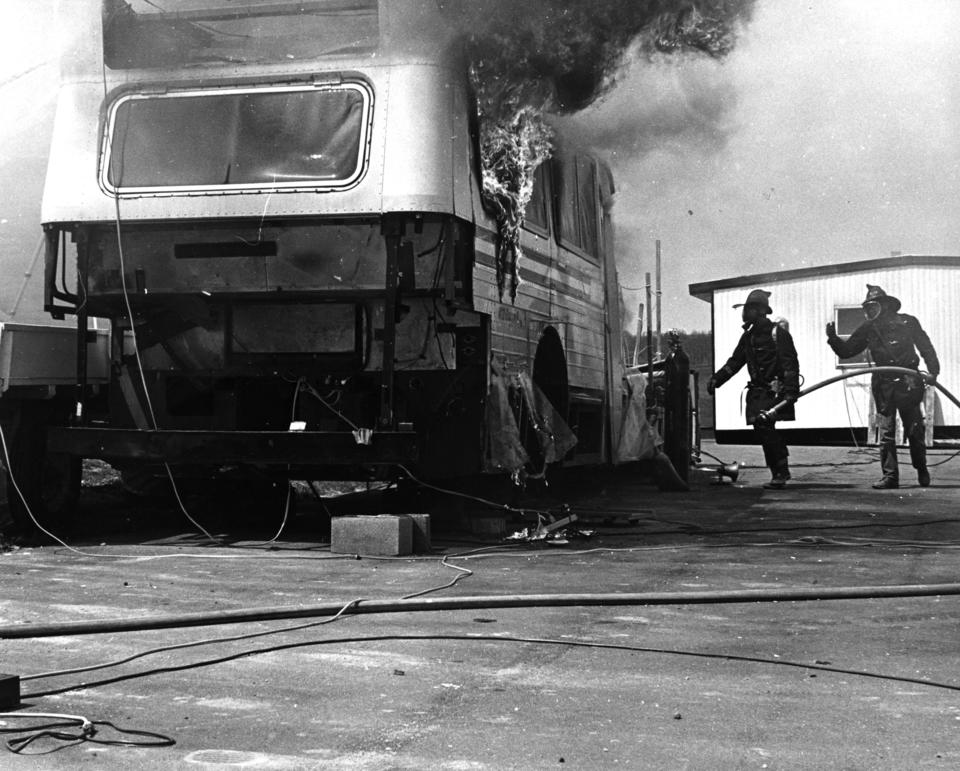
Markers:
point(42, 488)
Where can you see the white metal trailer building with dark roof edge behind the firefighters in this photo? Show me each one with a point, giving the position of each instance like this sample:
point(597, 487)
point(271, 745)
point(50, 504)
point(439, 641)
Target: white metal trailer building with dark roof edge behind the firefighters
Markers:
point(842, 413)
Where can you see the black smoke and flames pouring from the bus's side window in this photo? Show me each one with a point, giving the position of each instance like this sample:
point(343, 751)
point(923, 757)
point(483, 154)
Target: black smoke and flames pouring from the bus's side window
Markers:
point(559, 57)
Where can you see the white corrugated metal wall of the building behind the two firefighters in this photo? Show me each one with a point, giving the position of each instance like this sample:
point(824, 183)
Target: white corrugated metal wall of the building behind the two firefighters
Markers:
point(931, 293)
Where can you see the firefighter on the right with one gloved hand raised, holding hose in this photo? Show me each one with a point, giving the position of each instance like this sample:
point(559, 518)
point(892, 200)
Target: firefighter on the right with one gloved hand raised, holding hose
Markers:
point(894, 340)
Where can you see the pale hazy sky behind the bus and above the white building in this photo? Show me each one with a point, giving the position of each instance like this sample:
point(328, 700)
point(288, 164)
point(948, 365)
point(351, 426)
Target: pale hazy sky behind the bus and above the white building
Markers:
point(831, 134)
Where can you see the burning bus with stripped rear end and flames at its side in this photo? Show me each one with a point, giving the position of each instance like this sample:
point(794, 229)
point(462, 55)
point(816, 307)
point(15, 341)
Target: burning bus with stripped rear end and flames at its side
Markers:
point(272, 224)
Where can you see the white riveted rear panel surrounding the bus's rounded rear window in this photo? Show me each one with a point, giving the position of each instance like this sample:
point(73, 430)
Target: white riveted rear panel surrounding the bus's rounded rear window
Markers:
point(422, 165)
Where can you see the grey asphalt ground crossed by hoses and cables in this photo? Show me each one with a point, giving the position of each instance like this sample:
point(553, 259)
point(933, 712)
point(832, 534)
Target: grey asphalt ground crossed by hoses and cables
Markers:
point(851, 684)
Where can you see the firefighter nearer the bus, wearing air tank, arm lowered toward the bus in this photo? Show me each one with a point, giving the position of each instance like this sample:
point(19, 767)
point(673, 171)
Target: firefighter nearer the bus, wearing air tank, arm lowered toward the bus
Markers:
point(771, 358)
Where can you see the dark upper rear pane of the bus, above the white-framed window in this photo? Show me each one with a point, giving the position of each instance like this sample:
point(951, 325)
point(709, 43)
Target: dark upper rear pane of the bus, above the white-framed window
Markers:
point(144, 34)
